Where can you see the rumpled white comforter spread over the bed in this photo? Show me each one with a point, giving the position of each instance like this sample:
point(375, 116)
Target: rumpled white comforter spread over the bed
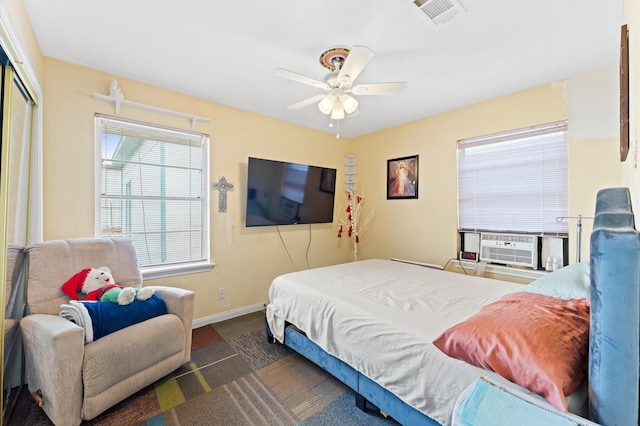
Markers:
point(381, 316)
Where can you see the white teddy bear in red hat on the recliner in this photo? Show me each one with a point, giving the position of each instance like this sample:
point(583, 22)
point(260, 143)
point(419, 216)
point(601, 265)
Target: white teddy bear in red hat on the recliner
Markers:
point(98, 284)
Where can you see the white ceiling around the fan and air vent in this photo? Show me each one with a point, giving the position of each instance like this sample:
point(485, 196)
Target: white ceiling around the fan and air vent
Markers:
point(226, 51)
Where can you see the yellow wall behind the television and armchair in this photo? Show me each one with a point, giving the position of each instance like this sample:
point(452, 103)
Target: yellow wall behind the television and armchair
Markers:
point(246, 266)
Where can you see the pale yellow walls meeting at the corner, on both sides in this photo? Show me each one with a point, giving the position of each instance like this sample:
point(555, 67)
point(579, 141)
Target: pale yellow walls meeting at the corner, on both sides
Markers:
point(422, 229)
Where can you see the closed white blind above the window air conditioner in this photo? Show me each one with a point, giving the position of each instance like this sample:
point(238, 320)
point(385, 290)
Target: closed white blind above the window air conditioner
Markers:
point(514, 181)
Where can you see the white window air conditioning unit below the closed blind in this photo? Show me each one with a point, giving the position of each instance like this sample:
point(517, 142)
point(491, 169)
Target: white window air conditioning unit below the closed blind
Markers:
point(509, 249)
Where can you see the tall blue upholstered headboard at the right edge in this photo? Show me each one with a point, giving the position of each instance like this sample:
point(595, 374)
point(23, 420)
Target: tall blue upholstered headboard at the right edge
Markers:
point(614, 341)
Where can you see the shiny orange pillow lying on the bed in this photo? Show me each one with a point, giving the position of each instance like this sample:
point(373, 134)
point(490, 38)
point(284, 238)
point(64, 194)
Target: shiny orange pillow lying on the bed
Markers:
point(539, 342)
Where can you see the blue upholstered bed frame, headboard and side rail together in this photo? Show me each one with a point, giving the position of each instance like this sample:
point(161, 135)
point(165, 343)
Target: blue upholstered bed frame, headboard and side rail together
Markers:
point(614, 341)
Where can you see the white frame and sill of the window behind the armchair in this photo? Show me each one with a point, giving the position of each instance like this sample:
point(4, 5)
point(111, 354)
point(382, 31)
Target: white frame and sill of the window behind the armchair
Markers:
point(158, 270)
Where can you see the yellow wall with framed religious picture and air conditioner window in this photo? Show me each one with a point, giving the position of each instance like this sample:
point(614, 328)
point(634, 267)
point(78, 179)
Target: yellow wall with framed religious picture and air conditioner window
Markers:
point(425, 229)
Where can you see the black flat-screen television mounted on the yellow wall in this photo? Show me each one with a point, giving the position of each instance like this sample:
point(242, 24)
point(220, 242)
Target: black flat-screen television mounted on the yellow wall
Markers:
point(280, 193)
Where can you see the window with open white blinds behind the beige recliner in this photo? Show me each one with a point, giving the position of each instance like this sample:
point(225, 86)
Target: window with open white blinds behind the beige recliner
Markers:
point(152, 186)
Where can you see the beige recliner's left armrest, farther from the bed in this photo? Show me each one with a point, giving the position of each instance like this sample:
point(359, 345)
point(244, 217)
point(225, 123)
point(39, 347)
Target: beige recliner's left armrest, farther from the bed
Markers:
point(59, 344)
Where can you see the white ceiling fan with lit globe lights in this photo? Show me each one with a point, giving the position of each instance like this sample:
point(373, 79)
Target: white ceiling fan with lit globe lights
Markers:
point(345, 65)
